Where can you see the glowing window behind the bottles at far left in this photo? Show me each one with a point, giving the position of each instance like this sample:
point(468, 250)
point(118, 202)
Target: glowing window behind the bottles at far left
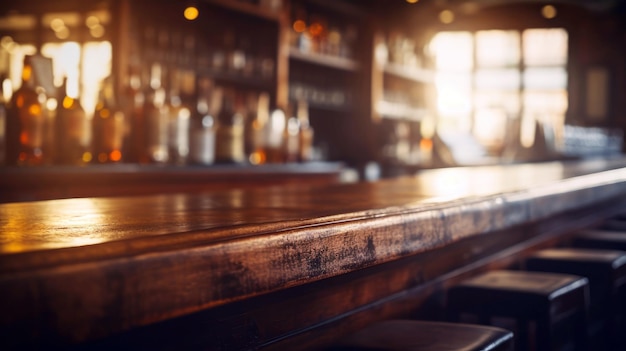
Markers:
point(77, 43)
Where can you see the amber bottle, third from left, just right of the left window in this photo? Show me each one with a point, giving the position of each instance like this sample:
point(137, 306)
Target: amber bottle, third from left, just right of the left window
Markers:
point(108, 126)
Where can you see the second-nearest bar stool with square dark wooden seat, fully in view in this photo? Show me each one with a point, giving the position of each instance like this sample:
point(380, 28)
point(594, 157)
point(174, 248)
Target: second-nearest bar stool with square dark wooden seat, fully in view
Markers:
point(556, 303)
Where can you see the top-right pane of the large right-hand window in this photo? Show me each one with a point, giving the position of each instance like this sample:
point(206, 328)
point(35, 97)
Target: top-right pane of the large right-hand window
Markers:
point(545, 46)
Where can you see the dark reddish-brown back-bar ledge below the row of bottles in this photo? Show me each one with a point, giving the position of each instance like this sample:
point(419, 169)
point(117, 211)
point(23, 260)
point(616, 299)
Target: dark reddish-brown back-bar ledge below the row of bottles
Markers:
point(57, 182)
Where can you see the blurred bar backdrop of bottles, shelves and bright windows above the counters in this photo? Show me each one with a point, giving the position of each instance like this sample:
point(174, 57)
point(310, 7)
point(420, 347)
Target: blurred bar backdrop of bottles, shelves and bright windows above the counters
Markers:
point(385, 87)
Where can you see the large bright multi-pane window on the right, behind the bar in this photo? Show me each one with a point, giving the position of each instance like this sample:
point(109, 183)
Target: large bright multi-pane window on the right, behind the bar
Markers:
point(488, 80)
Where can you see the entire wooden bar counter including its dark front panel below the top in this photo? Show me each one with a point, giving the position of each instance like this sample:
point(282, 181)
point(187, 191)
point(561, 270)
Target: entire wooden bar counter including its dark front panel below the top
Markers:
point(284, 268)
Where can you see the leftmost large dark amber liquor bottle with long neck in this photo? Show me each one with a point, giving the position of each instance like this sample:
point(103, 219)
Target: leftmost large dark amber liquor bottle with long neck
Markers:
point(25, 122)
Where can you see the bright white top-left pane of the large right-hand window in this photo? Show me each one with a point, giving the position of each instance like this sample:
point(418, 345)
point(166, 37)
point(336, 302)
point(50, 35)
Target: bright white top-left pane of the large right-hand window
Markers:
point(453, 51)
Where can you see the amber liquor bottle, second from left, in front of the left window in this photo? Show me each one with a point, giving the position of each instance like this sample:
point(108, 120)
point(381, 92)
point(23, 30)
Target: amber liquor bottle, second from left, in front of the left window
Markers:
point(72, 147)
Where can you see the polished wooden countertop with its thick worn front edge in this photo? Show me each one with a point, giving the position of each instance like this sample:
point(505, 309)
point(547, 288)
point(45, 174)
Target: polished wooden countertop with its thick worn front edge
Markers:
point(85, 268)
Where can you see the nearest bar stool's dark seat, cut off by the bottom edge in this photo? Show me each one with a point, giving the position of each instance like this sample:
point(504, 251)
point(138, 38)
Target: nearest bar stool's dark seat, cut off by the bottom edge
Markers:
point(412, 335)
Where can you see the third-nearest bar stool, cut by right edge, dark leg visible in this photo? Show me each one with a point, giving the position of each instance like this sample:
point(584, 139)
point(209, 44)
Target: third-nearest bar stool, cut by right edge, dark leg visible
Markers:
point(606, 271)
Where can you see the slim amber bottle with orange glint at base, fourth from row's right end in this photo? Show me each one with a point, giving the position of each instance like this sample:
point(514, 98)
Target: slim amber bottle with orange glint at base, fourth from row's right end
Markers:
point(258, 115)
